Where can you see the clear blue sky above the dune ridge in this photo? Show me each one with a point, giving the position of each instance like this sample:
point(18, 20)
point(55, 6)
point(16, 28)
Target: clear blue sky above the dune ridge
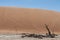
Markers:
point(43, 4)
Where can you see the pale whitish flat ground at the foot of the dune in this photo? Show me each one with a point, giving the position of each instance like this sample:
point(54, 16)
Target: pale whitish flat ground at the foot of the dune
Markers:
point(18, 37)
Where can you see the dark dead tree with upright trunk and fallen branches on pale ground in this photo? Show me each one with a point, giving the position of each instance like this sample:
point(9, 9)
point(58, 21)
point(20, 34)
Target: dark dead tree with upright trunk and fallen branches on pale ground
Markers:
point(48, 35)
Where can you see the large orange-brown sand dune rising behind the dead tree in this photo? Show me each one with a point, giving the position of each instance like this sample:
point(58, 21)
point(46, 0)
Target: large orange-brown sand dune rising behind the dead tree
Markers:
point(18, 20)
